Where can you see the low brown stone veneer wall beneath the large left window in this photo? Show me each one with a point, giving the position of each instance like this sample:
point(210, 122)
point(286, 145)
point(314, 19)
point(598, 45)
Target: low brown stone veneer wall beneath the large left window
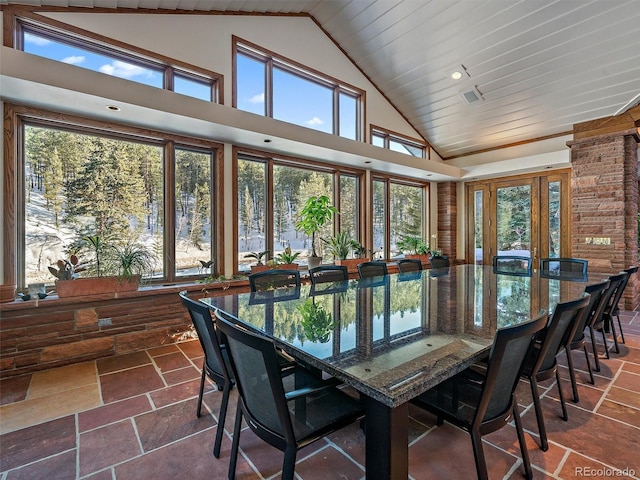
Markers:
point(41, 334)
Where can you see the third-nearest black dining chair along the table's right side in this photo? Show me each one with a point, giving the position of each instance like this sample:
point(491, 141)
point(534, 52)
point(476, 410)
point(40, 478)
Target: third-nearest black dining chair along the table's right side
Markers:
point(579, 339)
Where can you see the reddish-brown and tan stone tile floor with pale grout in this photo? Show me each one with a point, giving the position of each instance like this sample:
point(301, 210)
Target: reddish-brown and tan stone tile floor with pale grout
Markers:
point(133, 417)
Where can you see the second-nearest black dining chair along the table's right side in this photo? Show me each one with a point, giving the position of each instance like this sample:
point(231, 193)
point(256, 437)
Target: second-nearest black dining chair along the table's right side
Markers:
point(541, 364)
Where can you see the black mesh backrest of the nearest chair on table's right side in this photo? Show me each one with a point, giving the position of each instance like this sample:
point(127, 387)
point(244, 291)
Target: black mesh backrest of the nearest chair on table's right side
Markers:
point(508, 352)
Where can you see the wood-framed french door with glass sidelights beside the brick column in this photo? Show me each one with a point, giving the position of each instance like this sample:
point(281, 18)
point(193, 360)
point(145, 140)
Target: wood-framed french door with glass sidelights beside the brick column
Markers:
point(525, 215)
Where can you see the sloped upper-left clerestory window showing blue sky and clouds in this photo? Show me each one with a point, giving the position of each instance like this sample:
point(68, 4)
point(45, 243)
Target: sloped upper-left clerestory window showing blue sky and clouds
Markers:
point(86, 53)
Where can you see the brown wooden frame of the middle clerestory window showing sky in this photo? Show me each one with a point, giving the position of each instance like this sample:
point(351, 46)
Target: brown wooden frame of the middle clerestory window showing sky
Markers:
point(272, 60)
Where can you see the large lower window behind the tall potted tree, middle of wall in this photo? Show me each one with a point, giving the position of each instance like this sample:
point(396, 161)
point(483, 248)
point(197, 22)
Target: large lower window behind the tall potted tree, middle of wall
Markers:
point(271, 193)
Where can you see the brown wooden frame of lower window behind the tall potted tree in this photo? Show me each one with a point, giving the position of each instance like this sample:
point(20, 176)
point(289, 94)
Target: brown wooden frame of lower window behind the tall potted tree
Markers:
point(270, 160)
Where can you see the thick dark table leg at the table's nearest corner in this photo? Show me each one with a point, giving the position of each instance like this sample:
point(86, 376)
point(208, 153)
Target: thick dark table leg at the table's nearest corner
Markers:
point(387, 441)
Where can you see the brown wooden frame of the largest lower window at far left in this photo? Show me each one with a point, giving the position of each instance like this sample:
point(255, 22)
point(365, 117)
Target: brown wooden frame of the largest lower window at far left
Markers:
point(18, 117)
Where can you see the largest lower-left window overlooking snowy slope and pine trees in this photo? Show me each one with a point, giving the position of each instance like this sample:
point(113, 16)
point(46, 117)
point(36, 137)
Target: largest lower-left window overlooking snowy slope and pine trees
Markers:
point(81, 182)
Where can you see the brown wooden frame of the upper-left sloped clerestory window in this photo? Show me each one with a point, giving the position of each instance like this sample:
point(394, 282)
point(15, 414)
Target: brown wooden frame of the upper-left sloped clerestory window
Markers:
point(74, 36)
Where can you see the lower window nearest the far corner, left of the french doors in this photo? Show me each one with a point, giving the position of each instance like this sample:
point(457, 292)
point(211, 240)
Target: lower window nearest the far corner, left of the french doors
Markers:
point(398, 211)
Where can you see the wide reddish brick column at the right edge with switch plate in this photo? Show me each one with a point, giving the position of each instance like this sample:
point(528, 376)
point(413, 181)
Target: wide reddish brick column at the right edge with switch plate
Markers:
point(604, 208)
